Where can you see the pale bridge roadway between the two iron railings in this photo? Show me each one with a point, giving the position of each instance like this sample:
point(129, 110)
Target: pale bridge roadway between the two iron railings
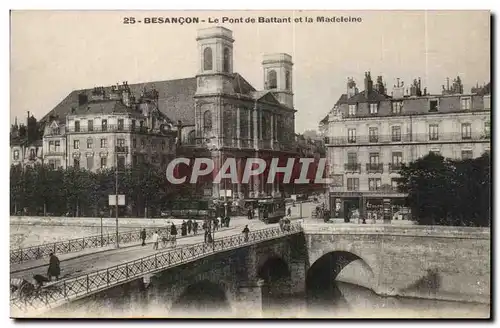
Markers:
point(88, 260)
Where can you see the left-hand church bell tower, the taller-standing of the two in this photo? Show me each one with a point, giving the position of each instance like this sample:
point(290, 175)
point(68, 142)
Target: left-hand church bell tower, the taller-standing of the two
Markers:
point(215, 49)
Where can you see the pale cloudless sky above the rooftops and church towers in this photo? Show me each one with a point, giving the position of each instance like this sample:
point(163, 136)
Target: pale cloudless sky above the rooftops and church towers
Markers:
point(55, 52)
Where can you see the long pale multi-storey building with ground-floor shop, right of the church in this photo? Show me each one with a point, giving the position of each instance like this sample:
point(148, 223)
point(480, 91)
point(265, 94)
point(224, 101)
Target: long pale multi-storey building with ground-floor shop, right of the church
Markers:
point(371, 133)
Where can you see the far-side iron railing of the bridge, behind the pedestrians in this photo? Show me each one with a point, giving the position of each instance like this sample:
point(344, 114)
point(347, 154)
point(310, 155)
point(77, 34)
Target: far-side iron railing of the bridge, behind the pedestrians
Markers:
point(76, 245)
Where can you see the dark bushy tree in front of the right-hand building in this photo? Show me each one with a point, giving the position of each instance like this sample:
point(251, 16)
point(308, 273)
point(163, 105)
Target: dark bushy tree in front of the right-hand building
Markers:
point(447, 192)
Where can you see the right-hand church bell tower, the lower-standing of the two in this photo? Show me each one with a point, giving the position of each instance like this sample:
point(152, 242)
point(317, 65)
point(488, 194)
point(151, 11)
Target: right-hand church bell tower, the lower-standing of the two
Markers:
point(278, 77)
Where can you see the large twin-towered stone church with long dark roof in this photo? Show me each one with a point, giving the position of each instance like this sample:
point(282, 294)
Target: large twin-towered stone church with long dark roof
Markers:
point(218, 114)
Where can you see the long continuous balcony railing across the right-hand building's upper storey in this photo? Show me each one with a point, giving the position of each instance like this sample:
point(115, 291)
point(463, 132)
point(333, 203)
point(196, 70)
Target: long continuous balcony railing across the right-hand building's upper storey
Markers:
point(407, 138)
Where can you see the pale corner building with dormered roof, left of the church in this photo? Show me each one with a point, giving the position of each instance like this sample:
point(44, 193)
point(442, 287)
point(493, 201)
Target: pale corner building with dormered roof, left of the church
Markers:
point(111, 129)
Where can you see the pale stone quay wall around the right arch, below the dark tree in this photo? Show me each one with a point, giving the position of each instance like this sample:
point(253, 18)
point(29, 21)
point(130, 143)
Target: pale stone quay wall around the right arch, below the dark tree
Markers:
point(448, 263)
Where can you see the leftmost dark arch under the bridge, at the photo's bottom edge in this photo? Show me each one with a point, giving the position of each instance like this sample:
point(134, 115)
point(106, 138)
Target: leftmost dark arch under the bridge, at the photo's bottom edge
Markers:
point(202, 298)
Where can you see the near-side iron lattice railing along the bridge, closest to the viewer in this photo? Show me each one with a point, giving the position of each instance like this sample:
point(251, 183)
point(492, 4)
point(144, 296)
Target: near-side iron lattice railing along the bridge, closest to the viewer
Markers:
point(78, 287)
